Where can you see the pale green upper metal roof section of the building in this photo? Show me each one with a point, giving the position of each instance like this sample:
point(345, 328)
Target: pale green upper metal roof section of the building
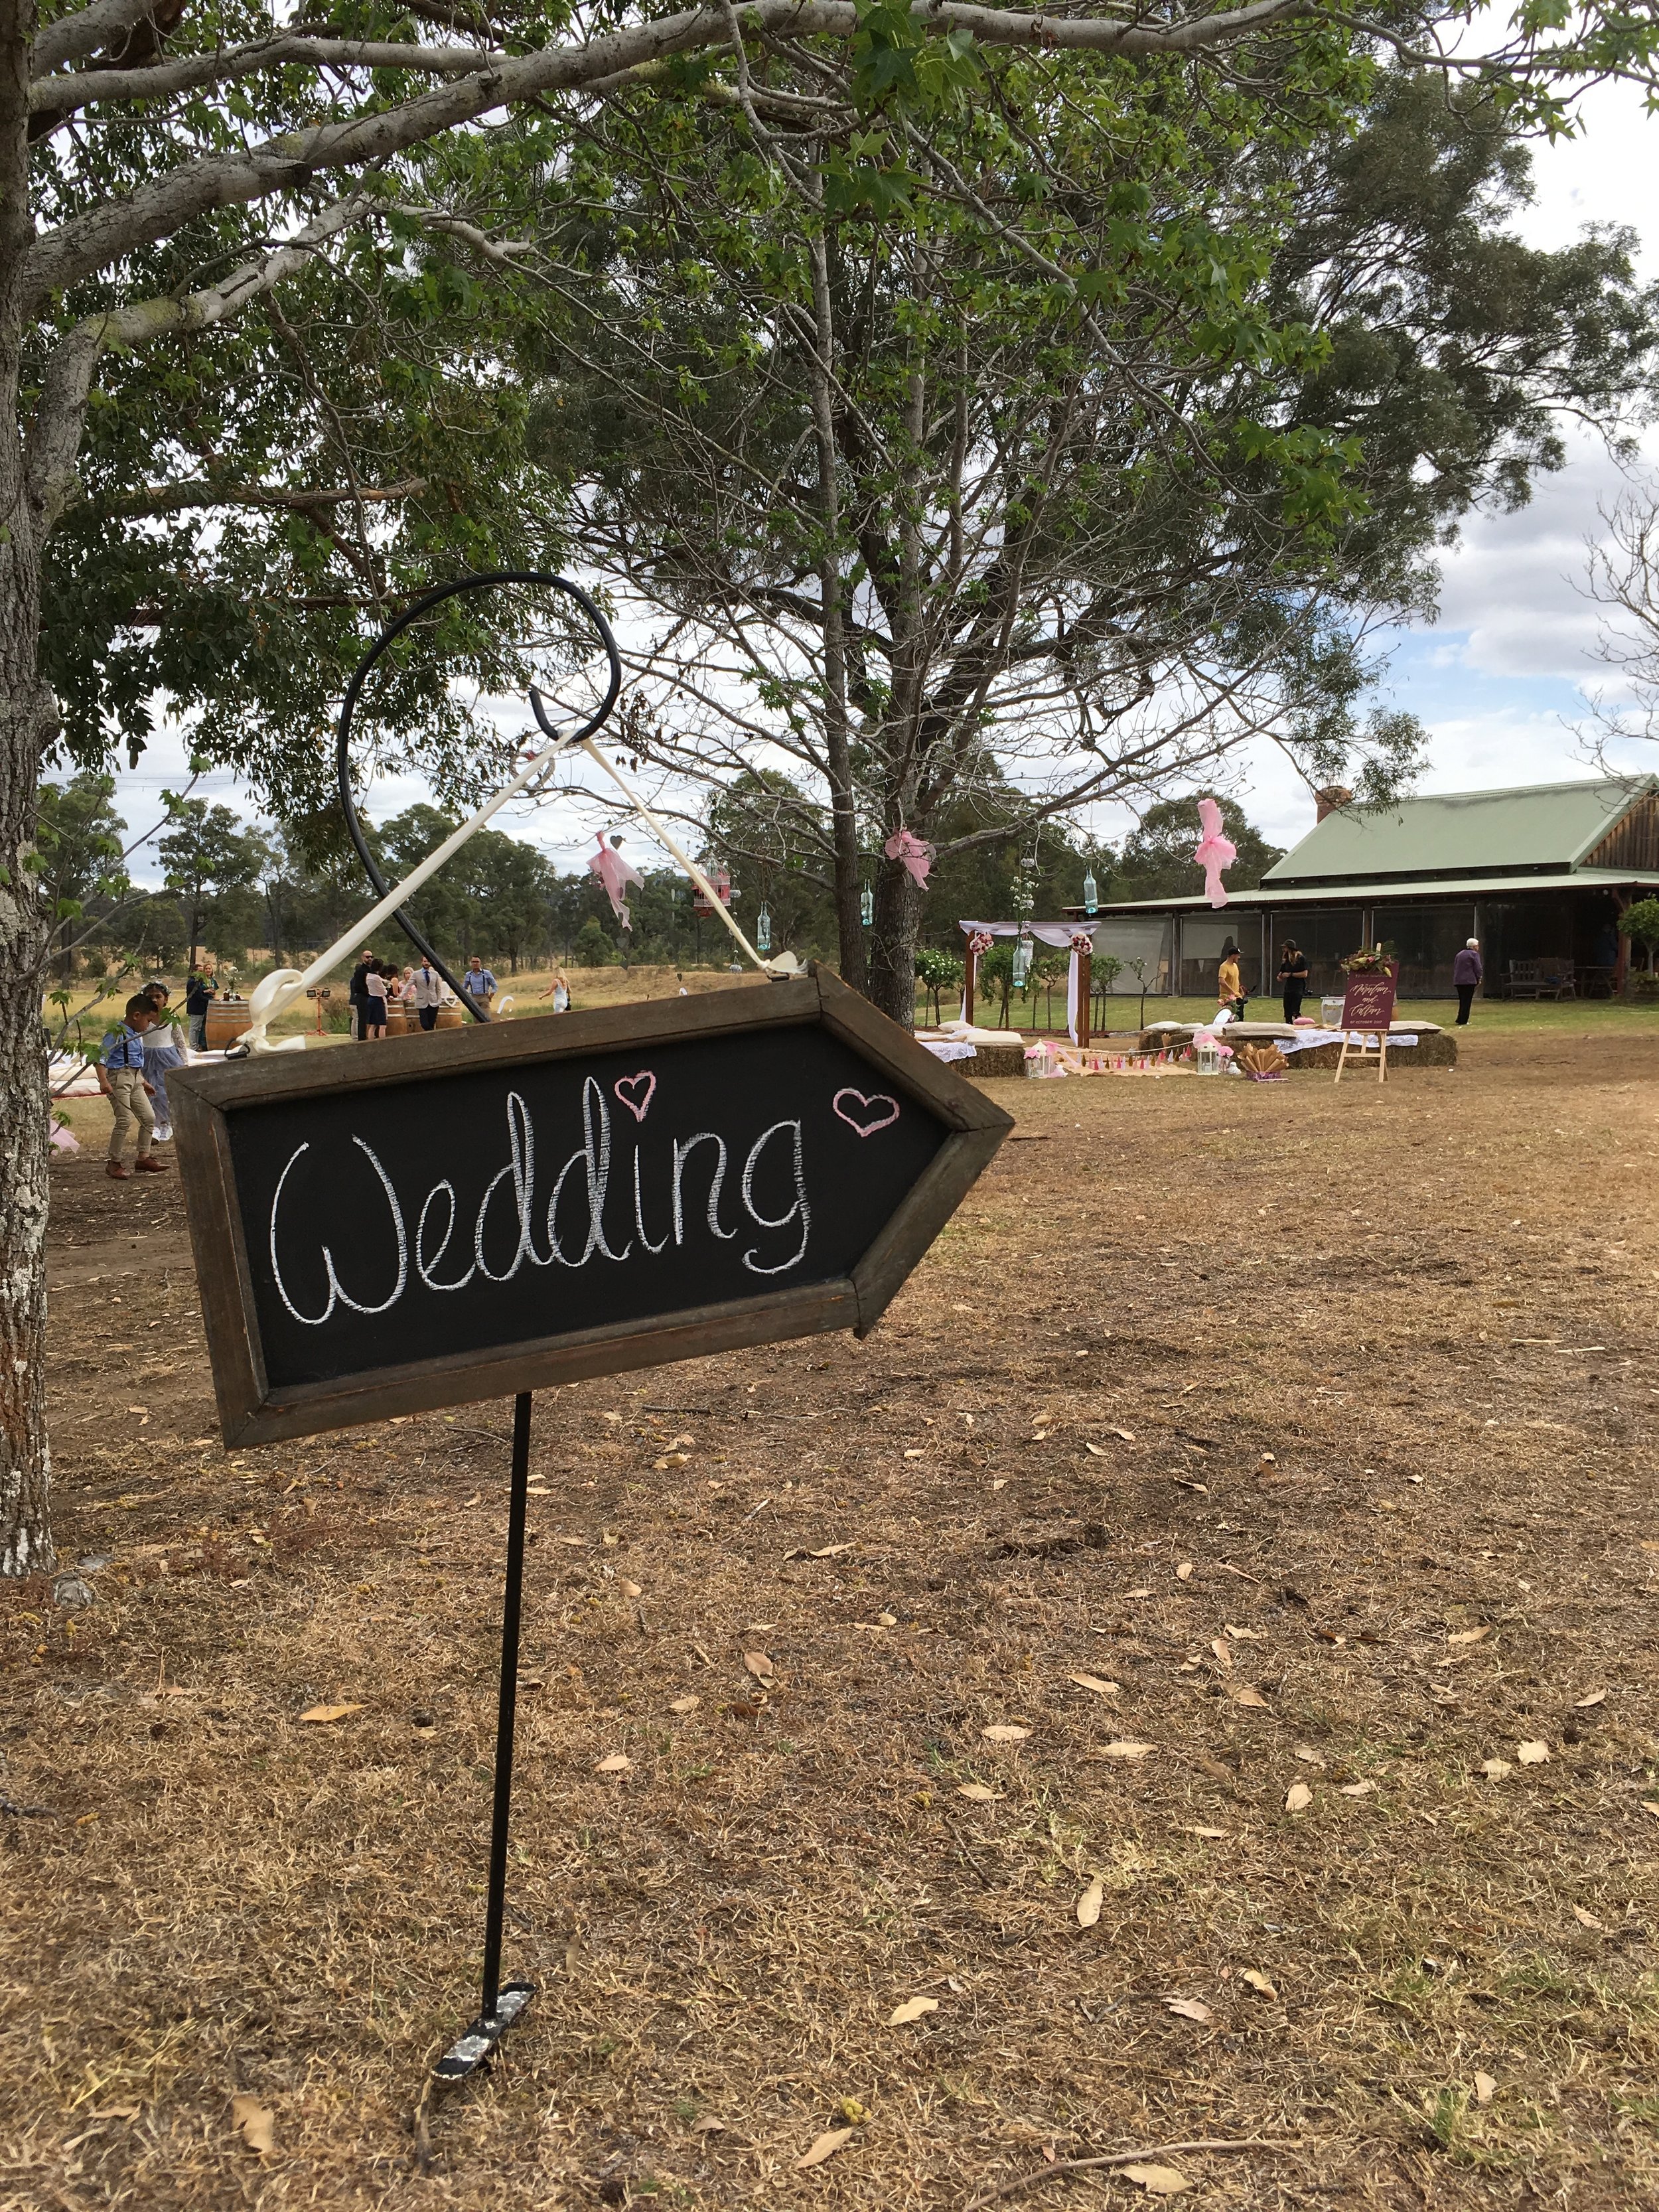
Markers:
point(1538, 826)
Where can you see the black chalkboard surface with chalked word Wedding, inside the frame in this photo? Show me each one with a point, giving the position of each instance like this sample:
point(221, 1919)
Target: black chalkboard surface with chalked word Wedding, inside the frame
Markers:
point(466, 1211)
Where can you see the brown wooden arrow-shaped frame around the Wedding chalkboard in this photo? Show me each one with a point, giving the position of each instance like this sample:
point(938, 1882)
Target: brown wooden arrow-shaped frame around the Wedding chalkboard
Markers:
point(253, 1412)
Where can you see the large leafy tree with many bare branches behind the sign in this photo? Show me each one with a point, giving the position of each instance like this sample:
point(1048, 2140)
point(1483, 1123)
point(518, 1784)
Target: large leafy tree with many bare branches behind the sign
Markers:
point(1047, 455)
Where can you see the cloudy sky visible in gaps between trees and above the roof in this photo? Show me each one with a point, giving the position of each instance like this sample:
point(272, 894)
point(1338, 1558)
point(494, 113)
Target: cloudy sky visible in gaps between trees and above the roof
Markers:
point(1501, 676)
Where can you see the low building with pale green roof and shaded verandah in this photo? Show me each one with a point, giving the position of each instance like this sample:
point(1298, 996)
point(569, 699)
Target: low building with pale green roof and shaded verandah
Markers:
point(1538, 875)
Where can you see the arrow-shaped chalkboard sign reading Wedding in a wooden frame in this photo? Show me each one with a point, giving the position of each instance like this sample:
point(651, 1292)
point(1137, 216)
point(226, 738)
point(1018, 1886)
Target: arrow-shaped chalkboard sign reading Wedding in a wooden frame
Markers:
point(459, 1215)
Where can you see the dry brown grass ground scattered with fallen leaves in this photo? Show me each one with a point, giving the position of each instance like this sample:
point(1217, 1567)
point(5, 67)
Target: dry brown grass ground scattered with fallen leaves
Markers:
point(1202, 1645)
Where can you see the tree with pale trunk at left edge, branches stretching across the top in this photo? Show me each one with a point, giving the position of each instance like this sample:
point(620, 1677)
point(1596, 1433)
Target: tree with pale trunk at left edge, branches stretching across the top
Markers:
point(171, 182)
